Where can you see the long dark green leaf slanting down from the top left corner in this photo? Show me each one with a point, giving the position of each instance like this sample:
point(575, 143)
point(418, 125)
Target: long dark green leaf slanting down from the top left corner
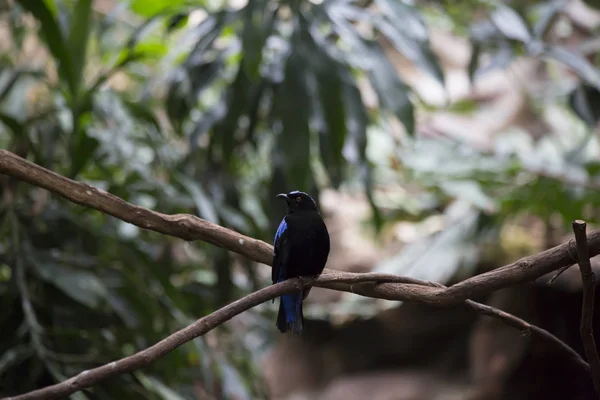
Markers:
point(53, 37)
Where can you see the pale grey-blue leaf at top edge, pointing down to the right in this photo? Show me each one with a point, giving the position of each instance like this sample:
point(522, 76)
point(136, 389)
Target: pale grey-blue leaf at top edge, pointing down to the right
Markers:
point(404, 27)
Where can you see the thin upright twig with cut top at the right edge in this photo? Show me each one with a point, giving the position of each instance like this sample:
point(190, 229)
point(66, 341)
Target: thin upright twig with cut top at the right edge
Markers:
point(586, 329)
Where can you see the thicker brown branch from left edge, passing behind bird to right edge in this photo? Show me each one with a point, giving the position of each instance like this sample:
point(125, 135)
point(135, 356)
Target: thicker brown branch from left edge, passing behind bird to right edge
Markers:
point(189, 227)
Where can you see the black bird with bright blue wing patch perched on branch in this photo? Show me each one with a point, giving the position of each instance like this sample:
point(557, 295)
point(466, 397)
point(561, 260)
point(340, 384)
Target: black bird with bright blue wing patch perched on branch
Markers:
point(301, 249)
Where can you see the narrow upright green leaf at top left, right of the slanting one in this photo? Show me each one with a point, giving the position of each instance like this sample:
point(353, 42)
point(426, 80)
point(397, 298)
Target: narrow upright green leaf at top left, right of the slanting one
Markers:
point(81, 25)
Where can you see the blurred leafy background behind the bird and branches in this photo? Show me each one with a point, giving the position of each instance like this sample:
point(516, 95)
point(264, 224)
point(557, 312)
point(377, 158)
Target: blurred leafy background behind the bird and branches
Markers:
point(441, 139)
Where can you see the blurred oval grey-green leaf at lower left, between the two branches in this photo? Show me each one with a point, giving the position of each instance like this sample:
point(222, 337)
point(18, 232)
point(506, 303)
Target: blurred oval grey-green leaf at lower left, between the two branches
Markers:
point(83, 286)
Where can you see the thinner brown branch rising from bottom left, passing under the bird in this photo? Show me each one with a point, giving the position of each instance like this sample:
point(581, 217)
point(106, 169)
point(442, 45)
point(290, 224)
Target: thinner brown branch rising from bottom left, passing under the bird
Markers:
point(88, 378)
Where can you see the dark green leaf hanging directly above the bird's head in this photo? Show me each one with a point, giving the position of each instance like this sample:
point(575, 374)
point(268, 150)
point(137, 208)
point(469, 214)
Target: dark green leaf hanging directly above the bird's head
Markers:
point(292, 105)
